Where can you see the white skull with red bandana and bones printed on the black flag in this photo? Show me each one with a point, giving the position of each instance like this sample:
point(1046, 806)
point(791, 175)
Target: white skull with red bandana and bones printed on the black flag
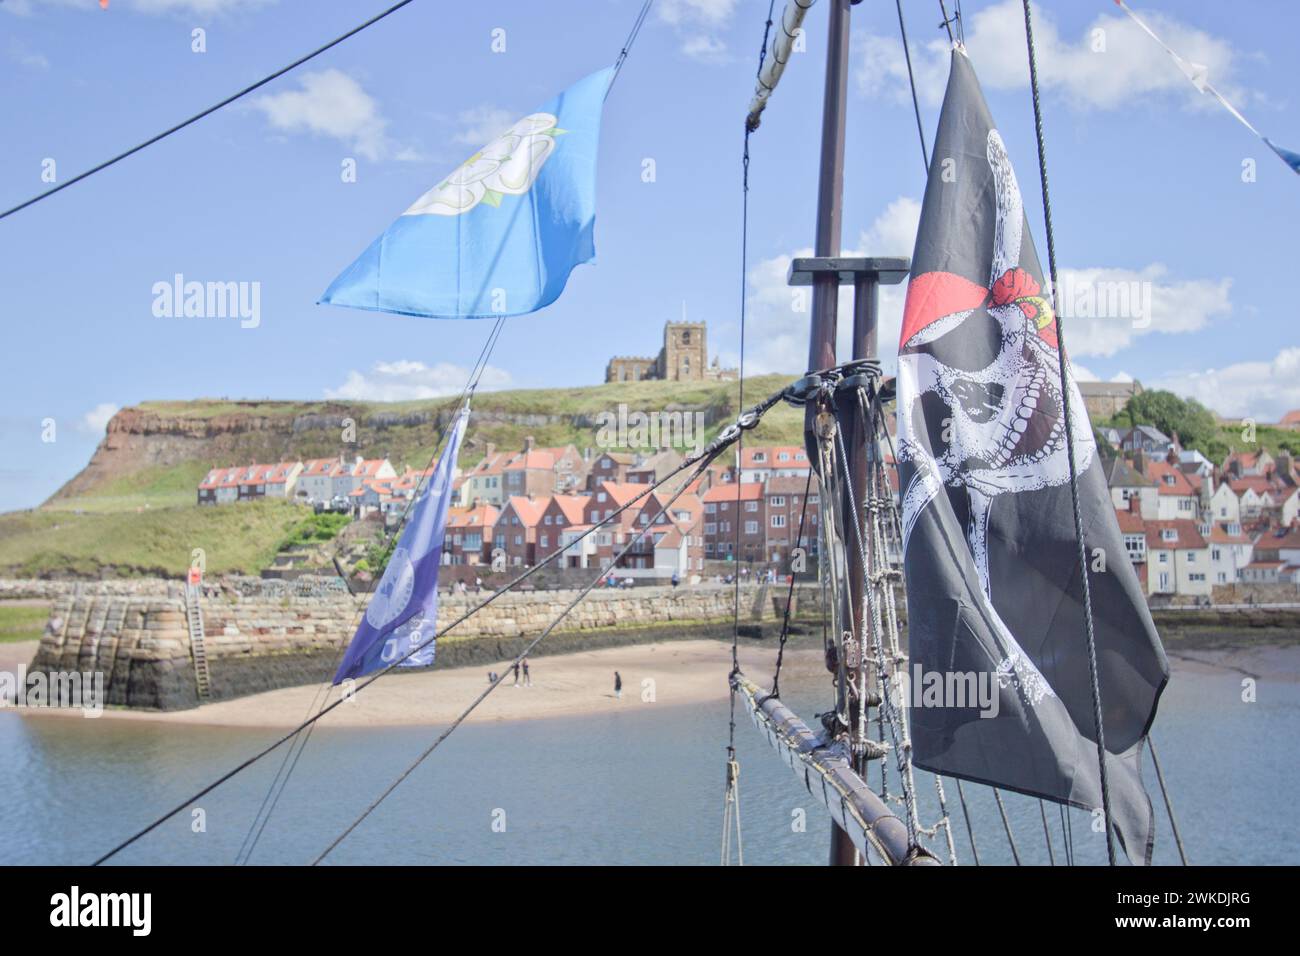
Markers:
point(995, 392)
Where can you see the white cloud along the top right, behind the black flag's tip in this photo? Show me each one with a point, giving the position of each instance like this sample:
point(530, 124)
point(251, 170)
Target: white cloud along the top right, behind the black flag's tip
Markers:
point(1129, 67)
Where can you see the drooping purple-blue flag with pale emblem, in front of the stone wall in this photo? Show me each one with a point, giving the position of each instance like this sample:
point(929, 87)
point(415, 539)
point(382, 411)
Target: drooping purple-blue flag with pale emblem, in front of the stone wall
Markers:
point(404, 611)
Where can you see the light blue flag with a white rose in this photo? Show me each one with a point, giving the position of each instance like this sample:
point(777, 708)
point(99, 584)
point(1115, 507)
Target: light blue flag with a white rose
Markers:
point(501, 235)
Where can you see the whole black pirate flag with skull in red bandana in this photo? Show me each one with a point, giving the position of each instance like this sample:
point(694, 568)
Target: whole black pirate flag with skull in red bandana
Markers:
point(991, 559)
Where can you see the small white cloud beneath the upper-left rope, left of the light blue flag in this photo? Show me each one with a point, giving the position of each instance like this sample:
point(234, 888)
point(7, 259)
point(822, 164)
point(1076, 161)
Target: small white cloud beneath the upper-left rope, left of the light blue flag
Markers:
point(333, 105)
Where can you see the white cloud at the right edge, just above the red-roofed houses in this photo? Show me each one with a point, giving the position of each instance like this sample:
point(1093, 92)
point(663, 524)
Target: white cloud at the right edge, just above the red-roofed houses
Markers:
point(1263, 391)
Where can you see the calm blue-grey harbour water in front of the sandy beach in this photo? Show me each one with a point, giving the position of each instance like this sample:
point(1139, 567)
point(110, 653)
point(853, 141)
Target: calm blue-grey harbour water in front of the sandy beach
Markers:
point(643, 786)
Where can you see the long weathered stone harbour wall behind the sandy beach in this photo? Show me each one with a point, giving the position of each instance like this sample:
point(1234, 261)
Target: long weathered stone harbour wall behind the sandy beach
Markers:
point(141, 642)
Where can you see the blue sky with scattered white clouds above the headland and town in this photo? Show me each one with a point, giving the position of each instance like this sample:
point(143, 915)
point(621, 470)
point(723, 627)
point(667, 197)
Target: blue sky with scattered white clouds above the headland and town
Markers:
point(1147, 185)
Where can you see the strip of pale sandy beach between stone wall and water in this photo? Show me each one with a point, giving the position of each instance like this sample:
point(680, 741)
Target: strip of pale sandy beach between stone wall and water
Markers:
point(657, 674)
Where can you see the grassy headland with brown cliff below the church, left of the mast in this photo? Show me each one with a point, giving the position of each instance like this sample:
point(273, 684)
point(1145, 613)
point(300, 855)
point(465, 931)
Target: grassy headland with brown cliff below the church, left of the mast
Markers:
point(125, 518)
